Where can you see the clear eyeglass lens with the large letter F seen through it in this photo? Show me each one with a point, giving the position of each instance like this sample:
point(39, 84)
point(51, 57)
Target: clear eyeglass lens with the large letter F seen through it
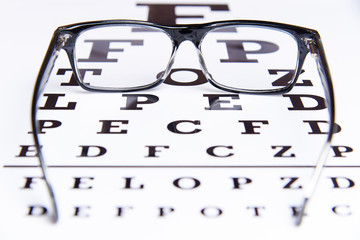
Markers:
point(121, 57)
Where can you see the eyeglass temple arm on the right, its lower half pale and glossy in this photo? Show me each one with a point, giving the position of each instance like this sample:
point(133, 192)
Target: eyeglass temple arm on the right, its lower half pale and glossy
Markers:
point(317, 51)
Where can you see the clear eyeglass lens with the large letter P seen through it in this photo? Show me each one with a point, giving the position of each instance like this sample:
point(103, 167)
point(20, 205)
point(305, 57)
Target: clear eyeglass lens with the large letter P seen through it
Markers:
point(250, 57)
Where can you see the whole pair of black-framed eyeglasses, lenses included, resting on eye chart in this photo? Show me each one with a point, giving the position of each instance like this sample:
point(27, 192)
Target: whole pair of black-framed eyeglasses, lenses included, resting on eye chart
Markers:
point(234, 56)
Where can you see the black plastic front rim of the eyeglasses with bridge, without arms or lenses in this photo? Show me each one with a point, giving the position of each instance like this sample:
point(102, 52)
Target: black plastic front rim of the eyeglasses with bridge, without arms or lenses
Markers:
point(179, 33)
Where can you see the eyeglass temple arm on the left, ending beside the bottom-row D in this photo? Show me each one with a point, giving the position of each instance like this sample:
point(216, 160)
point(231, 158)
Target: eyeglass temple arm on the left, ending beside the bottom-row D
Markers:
point(43, 76)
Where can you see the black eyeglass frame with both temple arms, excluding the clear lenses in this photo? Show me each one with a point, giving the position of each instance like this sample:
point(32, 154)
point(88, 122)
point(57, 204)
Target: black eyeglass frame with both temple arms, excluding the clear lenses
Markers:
point(308, 41)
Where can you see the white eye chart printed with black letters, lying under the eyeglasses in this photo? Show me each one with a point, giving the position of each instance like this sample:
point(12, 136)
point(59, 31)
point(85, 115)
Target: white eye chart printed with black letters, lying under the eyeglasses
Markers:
point(183, 160)
